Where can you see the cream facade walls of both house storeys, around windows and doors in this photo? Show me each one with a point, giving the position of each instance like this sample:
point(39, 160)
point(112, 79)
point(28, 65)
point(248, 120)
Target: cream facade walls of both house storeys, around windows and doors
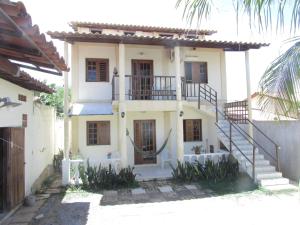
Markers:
point(164, 112)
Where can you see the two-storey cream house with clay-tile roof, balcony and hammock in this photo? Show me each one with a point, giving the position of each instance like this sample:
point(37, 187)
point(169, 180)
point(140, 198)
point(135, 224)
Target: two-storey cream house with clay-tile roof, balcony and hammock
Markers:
point(145, 82)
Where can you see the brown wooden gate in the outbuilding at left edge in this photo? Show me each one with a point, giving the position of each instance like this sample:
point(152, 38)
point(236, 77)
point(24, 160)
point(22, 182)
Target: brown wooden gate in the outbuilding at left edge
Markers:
point(12, 185)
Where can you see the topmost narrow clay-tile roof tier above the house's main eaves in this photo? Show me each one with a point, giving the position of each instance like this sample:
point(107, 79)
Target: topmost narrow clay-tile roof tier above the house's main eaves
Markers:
point(131, 27)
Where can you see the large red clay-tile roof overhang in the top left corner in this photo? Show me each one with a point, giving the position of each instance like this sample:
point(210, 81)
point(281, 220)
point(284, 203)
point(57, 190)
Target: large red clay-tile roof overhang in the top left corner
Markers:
point(22, 41)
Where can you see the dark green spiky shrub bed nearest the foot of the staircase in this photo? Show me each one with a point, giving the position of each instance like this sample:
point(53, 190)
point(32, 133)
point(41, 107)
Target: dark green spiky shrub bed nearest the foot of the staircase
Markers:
point(222, 170)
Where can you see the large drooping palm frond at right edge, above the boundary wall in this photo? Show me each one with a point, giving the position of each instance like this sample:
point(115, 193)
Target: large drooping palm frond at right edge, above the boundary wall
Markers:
point(280, 84)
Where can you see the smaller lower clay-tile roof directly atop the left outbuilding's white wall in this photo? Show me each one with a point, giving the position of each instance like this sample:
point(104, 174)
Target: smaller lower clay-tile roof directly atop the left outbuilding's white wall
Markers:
point(27, 82)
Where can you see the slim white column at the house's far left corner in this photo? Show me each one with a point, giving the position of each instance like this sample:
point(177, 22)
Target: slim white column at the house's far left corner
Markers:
point(66, 160)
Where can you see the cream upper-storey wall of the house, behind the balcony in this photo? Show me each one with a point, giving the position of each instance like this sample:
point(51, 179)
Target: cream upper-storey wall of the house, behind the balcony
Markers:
point(83, 91)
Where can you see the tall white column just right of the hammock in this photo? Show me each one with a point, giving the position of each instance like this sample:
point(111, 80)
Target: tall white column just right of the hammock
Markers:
point(179, 109)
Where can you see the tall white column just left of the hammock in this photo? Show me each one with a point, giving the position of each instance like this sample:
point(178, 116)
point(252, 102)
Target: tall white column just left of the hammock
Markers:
point(122, 107)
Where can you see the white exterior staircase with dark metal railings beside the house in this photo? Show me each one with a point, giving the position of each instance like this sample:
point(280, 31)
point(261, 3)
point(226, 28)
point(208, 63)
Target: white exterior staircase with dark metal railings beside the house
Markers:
point(249, 153)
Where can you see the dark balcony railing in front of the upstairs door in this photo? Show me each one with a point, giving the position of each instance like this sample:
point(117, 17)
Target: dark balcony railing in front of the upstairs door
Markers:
point(140, 87)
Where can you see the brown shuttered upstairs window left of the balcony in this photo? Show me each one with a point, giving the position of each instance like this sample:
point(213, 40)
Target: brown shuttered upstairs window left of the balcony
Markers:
point(97, 70)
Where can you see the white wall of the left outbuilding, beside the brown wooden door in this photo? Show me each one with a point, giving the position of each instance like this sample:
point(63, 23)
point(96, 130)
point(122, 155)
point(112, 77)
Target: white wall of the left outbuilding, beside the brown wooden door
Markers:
point(39, 134)
